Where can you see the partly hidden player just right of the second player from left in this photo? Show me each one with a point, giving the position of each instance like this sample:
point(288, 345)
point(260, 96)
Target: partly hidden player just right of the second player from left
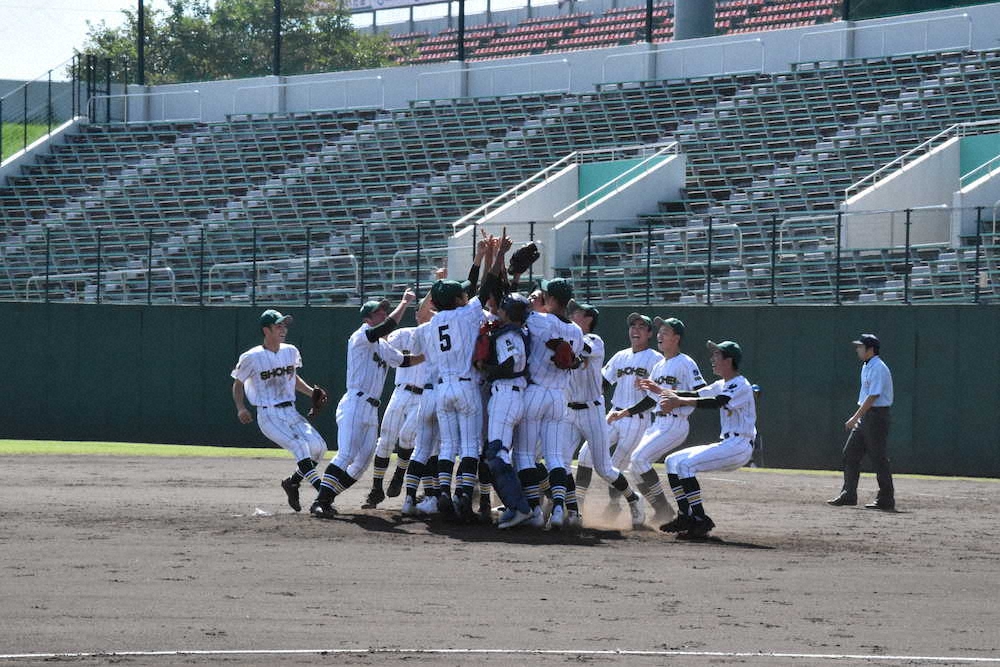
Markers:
point(400, 417)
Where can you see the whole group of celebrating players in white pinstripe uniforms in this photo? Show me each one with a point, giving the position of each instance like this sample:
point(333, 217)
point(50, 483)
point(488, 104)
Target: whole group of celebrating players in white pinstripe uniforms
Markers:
point(507, 387)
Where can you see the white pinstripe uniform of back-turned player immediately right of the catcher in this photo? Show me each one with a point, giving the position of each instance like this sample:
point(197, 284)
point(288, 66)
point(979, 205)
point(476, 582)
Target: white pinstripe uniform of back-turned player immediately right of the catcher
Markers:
point(545, 398)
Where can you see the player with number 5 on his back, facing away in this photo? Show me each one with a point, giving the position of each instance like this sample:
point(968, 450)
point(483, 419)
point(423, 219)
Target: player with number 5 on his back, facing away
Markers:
point(459, 404)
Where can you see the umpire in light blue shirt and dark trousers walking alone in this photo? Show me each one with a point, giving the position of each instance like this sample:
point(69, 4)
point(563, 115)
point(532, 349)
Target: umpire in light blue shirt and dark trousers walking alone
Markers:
point(869, 429)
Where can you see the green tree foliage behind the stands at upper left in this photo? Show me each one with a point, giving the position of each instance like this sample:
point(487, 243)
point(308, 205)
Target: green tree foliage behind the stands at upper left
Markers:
point(194, 41)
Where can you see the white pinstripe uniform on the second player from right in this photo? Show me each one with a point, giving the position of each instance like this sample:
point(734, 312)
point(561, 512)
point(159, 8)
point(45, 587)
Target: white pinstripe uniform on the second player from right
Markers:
point(668, 430)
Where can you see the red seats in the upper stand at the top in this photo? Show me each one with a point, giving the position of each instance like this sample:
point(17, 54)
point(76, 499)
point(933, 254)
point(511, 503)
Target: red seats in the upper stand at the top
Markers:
point(617, 26)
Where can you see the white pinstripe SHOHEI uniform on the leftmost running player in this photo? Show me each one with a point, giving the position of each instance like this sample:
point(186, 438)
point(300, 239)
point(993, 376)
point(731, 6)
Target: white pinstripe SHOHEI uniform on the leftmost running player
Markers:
point(269, 381)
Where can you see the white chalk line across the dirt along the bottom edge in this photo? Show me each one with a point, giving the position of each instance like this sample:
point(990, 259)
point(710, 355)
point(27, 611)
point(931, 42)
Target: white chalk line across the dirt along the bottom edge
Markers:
point(500, 651)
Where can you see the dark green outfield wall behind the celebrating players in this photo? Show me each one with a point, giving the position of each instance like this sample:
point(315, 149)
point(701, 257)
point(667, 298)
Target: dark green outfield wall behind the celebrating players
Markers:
point(161, 374)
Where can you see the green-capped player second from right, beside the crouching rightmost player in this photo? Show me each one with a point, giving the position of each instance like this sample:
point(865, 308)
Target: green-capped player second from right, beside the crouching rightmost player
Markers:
point(667, 430)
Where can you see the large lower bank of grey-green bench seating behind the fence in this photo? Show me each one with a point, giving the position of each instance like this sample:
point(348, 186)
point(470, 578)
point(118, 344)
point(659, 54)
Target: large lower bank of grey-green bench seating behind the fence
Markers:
point(262, 206)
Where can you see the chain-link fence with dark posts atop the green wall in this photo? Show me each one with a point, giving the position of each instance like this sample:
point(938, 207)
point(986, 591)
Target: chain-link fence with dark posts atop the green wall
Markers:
point(904, 257)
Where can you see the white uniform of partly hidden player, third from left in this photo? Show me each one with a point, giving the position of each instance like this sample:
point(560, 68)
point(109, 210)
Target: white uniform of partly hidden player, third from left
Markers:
point(404, 399)
